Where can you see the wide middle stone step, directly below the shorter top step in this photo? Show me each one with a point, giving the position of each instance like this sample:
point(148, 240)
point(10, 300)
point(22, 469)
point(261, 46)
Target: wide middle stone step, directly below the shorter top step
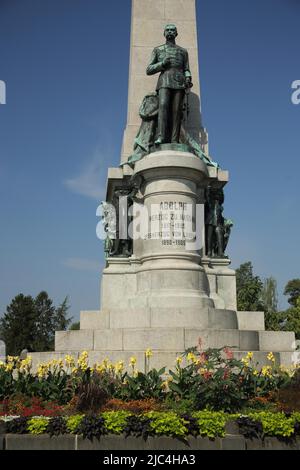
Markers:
point(172, 339)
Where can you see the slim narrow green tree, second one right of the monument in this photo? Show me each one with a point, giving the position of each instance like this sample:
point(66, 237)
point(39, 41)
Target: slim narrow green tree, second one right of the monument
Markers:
point(269, 297)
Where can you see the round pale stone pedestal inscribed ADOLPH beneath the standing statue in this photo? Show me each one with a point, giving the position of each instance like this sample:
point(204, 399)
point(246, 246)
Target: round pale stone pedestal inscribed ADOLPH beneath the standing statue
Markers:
point(171, 274)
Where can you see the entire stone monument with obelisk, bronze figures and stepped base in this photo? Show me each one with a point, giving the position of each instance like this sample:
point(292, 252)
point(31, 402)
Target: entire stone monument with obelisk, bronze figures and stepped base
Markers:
point(170, 284)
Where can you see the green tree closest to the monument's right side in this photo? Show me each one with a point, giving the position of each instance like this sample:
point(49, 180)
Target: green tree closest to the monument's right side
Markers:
point(249, 289)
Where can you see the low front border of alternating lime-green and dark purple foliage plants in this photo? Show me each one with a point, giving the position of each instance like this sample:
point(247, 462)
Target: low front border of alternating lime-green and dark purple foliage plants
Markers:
point(256, 425)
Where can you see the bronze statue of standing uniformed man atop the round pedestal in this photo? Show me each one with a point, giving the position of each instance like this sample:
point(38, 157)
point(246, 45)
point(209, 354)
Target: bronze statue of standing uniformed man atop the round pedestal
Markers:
point(172, 62)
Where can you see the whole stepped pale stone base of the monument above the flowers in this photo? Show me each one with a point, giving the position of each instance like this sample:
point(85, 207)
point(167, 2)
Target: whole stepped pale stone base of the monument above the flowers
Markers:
point(119, 335)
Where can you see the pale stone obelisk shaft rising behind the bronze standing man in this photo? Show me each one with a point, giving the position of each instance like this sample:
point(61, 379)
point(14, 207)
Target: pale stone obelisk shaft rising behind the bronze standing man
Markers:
point(149, 18)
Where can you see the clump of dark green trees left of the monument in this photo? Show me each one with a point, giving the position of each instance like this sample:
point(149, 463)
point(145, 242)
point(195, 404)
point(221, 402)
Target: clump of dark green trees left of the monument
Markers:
point(31, 323)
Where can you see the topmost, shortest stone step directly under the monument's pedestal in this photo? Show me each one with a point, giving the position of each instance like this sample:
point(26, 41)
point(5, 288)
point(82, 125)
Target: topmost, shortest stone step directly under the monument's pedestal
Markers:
point(159, 318)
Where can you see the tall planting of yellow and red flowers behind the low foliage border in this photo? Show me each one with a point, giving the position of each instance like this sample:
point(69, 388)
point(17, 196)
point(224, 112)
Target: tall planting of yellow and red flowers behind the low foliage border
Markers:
point(200, 380)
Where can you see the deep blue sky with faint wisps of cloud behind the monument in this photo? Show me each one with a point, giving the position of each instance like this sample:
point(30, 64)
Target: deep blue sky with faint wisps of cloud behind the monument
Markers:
point(65, 65)
